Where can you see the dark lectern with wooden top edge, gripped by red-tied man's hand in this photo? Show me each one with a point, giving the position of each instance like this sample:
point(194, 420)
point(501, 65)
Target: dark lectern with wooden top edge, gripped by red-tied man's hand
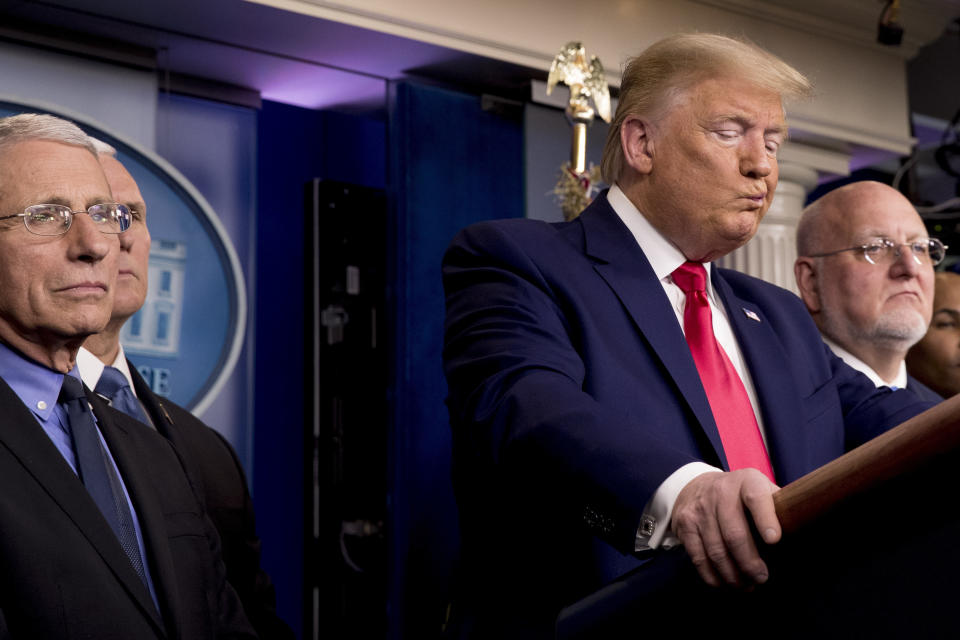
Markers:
point(870, 549)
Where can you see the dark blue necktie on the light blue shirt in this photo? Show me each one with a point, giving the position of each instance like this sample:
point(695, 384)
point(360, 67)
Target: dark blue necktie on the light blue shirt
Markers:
point(97, 473)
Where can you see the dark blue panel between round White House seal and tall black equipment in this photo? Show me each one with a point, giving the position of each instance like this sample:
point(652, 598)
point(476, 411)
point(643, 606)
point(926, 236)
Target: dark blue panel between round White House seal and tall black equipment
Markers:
point(294, 146)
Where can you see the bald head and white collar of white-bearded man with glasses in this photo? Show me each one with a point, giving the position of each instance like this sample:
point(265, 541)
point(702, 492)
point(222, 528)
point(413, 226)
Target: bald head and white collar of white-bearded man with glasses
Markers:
point(865, 273)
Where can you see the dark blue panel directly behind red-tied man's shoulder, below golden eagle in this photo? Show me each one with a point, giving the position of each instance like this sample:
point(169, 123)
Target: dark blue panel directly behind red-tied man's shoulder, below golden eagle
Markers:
point(451, 164)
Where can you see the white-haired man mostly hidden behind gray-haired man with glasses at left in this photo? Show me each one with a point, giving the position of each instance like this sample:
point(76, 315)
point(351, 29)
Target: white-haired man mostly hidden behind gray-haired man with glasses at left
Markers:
point(211, 460)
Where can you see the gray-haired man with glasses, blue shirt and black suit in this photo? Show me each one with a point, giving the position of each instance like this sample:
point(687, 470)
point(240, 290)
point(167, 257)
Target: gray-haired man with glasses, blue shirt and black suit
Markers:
point(102, 534)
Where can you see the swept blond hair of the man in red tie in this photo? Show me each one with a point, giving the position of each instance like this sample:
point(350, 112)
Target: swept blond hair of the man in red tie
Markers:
point(655, 79)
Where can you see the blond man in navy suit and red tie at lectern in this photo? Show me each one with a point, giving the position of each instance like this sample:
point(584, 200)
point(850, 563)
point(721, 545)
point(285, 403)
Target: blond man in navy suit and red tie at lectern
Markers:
point(610, 392)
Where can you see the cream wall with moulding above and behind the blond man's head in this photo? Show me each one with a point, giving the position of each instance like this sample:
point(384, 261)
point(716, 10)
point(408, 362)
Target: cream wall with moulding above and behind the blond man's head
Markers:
point(861, 86)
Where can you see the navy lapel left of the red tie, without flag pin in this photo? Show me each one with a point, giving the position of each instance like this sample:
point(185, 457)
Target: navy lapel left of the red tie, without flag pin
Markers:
point(622, 264)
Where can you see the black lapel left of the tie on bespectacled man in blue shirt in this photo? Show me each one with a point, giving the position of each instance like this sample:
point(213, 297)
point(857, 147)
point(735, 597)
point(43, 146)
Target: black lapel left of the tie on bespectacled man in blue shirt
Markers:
point(26, 440)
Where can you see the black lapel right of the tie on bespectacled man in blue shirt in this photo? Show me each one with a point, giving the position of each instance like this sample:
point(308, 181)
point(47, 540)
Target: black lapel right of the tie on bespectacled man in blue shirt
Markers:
point(116, 427)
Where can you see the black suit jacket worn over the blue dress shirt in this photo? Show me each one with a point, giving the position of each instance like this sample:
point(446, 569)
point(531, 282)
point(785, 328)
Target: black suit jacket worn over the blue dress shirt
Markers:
point(64, 573)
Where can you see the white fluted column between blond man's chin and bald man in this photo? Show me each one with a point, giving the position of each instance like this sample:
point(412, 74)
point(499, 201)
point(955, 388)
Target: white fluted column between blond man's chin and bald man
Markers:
point(773, 250)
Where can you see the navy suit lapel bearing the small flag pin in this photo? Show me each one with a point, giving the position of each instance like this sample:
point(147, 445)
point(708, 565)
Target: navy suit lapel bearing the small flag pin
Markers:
point(774, 385)
